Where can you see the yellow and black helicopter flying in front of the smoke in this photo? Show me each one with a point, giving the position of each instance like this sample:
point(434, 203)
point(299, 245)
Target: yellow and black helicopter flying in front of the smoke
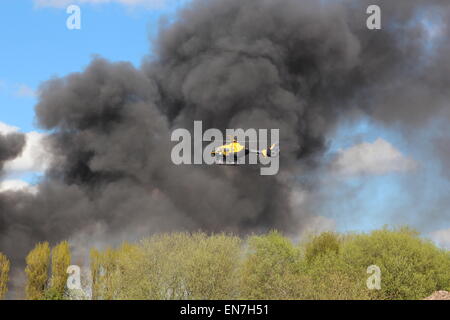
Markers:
point(230, 153)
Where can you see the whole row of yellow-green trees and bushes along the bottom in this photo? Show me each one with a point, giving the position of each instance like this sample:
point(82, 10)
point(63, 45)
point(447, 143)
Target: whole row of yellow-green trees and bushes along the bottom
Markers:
point(224, 266)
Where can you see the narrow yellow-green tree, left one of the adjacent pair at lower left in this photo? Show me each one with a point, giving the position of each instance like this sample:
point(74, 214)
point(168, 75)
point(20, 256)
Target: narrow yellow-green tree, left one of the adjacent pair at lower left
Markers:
point(38, 261)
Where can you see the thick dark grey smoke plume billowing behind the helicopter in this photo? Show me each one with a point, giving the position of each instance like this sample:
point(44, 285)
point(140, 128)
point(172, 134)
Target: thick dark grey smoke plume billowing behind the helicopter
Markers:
point(297, 66)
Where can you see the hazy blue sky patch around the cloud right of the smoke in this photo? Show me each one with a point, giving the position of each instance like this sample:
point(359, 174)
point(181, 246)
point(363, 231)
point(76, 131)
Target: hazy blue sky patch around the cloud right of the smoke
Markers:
point(393, 198)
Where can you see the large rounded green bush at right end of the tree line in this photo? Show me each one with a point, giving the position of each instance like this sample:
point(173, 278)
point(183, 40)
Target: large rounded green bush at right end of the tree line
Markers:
point(411, 268)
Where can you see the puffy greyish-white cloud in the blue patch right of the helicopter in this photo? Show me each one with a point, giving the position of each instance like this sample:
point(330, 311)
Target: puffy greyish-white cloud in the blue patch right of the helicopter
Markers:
point(376, 158)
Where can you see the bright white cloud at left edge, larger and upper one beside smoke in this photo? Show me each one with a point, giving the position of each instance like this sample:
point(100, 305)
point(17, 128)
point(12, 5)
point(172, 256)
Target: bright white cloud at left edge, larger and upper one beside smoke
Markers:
point(34, 157)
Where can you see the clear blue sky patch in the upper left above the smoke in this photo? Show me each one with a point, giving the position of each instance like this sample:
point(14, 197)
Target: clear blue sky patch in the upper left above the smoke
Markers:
point(36, 45)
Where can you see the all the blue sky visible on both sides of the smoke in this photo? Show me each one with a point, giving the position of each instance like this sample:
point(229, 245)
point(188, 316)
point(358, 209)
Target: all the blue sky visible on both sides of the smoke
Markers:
point(36, 45)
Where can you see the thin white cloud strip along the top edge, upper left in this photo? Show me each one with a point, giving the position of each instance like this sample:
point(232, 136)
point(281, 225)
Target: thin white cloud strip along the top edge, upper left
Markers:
point(65, 3)
